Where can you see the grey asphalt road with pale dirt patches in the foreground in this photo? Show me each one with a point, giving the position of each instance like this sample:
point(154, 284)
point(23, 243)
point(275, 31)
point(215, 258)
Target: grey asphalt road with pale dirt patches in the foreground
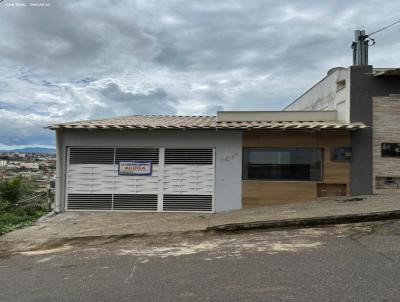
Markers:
point(341, 263)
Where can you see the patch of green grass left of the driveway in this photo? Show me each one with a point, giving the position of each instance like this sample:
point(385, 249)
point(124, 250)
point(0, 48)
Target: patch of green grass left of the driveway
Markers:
point(21, 216)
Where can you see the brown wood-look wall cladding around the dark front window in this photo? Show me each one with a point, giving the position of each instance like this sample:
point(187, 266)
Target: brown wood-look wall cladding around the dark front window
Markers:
point(264, 193)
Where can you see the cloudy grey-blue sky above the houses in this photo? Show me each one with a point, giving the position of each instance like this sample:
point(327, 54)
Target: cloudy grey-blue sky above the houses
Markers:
point(72, 60)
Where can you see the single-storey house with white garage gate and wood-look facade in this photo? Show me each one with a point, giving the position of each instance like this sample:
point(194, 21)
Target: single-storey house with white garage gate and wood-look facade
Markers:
point(202, 164)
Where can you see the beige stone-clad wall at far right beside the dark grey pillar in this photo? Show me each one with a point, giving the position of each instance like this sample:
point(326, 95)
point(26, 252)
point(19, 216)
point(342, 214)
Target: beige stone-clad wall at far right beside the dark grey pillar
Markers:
point(386, 129)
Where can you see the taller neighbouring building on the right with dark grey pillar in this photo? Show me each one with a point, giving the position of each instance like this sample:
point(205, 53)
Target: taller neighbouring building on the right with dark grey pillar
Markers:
point(371, 96)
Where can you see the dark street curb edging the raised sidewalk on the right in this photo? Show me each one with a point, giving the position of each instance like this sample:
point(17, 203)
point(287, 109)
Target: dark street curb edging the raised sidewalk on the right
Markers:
point(307, 222)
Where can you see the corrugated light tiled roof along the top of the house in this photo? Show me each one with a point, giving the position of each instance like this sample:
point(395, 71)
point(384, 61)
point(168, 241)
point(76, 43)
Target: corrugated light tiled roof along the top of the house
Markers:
point(197, 122)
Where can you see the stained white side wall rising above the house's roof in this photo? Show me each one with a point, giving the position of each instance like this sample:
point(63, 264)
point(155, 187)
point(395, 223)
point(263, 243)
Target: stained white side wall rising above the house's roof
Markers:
point(325, 95)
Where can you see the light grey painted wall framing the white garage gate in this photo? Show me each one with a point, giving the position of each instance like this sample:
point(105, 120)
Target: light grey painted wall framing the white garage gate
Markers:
point(228, 145)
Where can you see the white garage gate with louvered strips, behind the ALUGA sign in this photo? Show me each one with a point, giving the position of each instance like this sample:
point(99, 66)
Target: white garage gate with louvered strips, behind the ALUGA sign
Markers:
point(182, 179)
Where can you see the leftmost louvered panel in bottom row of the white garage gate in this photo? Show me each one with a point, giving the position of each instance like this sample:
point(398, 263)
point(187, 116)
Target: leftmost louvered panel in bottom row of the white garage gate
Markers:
point(89, 201)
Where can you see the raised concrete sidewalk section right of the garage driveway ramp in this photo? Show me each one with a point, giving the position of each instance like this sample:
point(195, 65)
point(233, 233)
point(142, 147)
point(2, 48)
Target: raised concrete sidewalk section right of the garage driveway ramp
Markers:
point(385, 204)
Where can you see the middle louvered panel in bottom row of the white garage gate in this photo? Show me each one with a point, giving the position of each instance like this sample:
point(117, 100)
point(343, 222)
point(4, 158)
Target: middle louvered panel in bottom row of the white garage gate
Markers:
point(138, 202)
